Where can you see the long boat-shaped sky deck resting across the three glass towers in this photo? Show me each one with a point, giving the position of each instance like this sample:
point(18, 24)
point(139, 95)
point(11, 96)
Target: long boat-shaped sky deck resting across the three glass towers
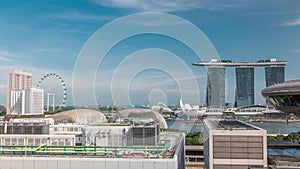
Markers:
point(229, 63)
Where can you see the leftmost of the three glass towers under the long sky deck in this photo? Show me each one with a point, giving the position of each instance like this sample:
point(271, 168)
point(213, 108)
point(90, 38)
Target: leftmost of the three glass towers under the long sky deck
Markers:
point(215, 92)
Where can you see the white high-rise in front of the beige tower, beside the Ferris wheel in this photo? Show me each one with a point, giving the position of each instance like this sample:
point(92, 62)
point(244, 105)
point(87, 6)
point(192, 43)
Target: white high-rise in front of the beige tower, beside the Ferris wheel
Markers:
point(28, 101)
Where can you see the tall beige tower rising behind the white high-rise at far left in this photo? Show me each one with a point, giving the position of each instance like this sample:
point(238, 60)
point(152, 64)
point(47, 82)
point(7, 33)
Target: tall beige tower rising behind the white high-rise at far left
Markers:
point(17, 80)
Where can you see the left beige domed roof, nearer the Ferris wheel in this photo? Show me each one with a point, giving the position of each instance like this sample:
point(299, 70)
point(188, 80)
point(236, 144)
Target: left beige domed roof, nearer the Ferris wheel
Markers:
point(81, 116)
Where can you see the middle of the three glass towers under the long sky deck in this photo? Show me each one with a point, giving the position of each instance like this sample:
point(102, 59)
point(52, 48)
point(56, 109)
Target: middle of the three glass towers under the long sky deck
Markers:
point(244, 86)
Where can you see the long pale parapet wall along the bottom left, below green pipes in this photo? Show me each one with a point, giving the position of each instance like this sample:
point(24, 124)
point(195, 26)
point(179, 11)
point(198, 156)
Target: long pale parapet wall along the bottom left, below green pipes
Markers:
point(84, 163)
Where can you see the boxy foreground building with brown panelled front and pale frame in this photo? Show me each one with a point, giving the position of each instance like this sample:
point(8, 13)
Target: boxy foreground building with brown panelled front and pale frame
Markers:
point(234, 144)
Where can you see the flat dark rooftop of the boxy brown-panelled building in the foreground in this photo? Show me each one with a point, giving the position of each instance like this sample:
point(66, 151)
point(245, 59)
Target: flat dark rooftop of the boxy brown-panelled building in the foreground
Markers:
point(220, 124)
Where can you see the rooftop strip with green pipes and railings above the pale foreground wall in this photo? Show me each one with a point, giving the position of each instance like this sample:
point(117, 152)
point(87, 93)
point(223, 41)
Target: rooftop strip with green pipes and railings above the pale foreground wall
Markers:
point(167, 147)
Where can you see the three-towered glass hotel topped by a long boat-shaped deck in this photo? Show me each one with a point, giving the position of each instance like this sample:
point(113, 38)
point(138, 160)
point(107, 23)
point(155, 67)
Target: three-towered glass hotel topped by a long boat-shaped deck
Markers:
point(244, 73)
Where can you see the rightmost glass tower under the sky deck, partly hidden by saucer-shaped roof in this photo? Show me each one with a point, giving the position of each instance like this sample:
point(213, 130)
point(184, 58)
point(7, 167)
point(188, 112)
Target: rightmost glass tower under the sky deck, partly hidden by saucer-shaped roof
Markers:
point(274, 75)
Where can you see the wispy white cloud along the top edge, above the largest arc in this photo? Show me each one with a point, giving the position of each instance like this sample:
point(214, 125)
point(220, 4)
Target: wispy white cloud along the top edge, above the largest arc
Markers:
point(165, 5)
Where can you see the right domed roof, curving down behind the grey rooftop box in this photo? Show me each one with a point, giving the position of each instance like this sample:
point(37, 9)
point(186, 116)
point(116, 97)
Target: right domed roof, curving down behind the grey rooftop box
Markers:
point(144, 114)
